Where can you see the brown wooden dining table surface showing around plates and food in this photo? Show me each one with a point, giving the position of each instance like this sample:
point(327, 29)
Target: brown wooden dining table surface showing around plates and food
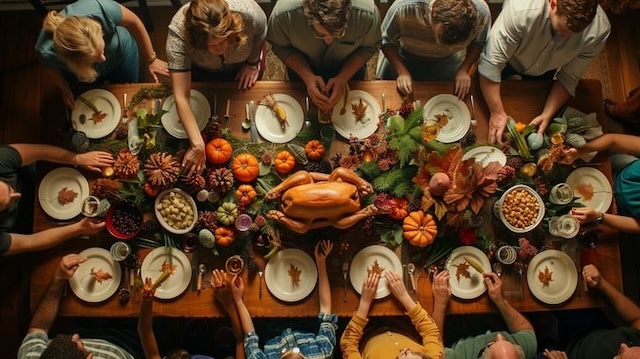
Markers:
point(523, 100)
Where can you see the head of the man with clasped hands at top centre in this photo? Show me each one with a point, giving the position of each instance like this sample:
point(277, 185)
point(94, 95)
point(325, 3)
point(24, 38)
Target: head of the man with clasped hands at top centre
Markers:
point(328, 17)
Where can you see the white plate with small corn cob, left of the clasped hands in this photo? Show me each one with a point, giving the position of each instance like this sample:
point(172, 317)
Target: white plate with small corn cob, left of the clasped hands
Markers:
point(269, 126)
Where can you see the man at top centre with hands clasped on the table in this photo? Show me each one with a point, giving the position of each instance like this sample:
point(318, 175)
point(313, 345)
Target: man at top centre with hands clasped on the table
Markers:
point(324, 43)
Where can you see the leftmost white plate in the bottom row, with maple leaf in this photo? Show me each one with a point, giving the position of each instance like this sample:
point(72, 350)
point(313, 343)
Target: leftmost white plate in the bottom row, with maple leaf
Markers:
point(85, 287)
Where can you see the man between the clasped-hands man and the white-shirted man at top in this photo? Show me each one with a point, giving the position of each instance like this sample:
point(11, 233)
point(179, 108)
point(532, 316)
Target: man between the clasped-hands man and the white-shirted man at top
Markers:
point(426, 40)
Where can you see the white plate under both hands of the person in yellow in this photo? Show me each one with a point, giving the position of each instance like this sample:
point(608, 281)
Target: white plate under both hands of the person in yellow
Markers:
point(365, 259)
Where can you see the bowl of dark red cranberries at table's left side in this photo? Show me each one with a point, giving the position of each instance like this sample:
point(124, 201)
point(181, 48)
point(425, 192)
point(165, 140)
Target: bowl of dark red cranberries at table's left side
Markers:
point(124, 220)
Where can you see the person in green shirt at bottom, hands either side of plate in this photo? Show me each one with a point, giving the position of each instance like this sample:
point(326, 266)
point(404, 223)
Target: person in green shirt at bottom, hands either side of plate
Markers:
point(518, 342)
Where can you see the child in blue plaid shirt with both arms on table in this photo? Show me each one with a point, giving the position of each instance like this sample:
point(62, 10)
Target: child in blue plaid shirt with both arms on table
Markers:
point(294, 344)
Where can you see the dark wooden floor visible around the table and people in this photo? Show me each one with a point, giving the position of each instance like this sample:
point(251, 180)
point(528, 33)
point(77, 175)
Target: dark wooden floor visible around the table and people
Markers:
point(31, 110)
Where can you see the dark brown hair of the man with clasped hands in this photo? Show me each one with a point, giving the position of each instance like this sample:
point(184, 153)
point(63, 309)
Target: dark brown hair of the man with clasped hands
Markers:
point(332, 14)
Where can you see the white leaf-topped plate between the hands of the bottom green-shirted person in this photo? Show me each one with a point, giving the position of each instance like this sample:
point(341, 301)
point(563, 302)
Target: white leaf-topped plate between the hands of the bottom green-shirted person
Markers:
point(472, 287)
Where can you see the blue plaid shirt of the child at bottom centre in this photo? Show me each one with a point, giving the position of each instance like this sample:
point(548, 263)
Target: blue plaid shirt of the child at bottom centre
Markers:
point(312, 346)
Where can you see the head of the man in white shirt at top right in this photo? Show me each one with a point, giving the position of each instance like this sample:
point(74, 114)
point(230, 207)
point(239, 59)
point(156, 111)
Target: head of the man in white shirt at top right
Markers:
point(572, 16)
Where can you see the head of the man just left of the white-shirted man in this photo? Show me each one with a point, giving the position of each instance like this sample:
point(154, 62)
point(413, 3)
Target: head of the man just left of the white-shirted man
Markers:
point(453, 21)
